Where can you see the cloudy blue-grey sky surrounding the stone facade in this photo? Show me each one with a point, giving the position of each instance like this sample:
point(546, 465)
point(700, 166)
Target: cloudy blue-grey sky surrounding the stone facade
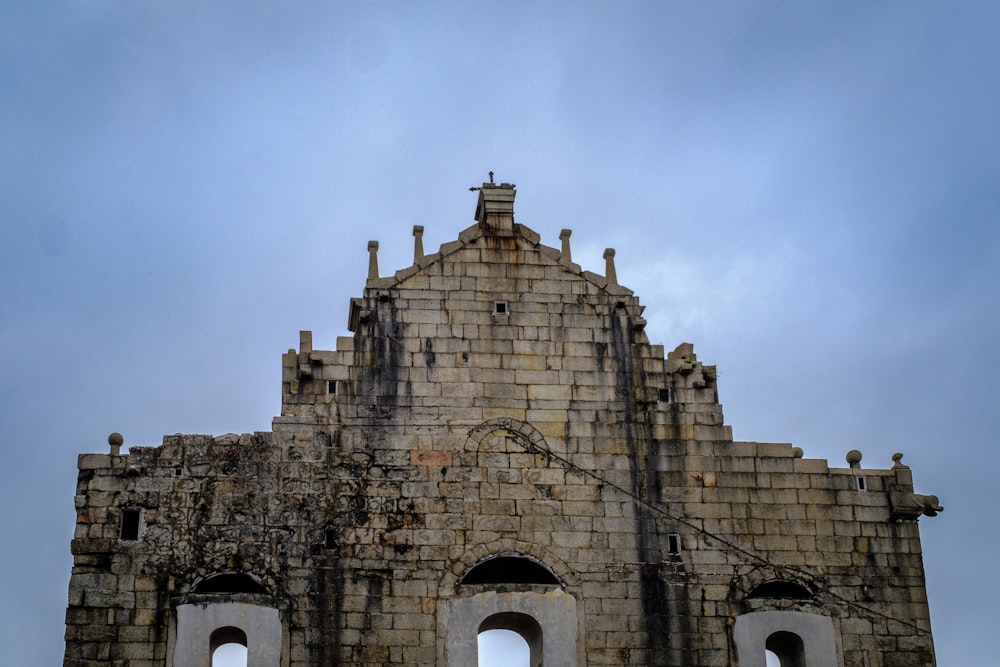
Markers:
point(807, 191)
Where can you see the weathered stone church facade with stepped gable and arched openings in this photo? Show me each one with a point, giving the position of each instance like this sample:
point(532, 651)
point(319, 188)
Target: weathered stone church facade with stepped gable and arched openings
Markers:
point(496, 445)
